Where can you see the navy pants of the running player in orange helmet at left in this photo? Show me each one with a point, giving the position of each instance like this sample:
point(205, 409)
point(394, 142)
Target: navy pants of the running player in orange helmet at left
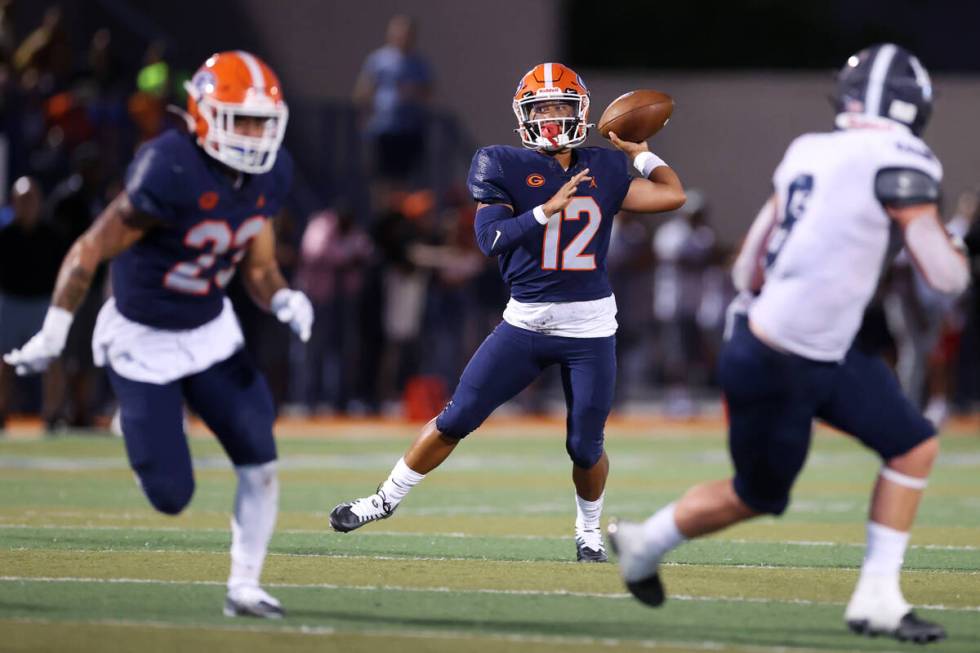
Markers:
point(233, 400)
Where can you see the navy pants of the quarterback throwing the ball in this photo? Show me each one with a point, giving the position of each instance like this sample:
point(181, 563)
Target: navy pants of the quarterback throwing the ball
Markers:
point(511, 358)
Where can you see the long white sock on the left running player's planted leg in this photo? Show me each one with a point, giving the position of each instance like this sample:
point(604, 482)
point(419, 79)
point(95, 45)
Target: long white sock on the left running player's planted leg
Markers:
point(256, 507)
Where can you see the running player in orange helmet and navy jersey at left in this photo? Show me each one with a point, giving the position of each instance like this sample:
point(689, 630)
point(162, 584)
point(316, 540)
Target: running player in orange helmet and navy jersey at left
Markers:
point(195, 208)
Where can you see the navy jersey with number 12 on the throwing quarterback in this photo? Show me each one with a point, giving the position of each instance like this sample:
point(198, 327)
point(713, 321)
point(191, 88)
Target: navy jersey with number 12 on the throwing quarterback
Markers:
point(564, 261)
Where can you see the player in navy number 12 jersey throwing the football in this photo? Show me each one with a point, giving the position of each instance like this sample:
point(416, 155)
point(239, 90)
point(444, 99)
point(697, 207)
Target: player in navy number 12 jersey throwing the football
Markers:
point(546, 211)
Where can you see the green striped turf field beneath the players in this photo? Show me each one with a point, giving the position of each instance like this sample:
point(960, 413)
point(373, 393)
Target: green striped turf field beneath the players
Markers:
point(478, 558)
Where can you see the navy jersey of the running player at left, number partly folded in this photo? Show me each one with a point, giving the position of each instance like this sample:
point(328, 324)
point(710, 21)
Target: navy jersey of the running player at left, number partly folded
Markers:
point(174, 277)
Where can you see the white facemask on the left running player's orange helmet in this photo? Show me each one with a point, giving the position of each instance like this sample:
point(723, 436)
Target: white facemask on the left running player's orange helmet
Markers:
point(245, 153)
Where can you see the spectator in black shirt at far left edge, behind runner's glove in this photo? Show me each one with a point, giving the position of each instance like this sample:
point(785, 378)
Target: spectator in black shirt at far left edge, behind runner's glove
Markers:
point(30, 254)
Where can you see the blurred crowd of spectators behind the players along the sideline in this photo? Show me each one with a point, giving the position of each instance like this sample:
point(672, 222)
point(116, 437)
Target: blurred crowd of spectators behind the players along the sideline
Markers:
point(402, 295)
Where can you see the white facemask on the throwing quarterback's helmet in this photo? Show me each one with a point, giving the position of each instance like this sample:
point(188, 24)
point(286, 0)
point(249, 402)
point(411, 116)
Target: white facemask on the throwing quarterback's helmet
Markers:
point(556, 131)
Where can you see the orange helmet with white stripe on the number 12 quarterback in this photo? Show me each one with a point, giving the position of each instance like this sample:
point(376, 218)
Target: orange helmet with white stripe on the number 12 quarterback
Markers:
point(551, 84)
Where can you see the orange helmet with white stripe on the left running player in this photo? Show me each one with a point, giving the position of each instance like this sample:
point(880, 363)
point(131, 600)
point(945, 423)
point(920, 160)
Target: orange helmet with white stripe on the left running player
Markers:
point(233, 85)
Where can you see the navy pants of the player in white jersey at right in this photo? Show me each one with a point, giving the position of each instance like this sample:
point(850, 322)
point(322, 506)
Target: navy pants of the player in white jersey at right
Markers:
point(773, 398)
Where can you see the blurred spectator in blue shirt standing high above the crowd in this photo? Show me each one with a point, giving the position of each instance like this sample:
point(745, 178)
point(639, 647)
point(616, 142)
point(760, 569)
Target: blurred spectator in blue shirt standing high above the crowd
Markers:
point(394, 88)
